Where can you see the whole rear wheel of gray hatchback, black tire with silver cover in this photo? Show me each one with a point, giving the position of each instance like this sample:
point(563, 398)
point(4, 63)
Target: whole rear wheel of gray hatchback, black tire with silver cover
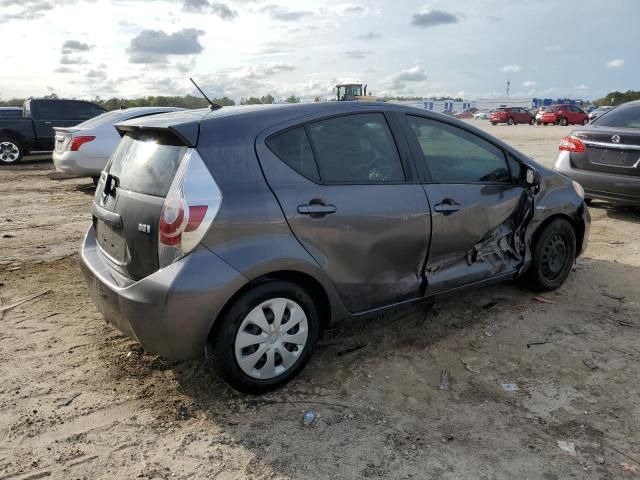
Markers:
point(266, 338)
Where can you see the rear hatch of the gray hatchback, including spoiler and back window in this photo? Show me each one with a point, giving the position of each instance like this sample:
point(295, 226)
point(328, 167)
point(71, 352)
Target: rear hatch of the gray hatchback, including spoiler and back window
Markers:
point(132, 189)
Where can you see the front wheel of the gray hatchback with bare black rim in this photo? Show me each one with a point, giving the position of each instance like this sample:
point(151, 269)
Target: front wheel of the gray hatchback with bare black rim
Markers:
point(554, 252)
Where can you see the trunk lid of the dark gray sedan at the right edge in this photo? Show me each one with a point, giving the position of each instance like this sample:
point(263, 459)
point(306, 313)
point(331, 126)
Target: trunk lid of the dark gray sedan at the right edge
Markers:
point(608, 150)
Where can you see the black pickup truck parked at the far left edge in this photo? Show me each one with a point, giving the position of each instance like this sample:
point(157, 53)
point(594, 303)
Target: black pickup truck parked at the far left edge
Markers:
point(34, 129)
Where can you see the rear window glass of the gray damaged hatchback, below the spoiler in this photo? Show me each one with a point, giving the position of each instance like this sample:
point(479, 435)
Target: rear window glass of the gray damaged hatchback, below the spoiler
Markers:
point(146, 162)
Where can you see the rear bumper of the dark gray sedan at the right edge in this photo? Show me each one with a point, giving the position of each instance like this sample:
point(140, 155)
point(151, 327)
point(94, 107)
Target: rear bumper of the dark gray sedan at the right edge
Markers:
point(623, 189)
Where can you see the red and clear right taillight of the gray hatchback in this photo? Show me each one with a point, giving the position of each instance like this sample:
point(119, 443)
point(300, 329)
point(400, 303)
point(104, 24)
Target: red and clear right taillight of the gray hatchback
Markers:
point(188, 211)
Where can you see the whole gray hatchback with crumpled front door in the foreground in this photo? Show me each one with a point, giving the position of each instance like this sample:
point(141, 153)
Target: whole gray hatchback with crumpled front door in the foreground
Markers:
point(244, 232)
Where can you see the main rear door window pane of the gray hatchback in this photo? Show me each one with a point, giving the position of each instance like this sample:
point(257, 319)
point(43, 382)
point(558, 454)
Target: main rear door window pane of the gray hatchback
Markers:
point(356, 148)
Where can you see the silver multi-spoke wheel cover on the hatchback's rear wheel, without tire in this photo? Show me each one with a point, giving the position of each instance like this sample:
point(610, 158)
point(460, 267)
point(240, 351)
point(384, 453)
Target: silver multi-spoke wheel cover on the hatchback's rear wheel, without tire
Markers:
point(271, 338)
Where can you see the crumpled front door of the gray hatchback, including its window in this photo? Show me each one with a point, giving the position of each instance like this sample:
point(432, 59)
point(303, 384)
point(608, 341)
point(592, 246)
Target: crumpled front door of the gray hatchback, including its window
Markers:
point(475, 203)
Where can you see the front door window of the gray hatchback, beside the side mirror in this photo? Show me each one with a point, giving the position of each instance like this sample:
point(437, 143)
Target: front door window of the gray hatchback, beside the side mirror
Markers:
point(454, 155)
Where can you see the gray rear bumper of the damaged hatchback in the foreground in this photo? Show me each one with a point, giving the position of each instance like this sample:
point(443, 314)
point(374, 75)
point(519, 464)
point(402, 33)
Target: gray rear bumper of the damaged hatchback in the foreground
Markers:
point(170, 312)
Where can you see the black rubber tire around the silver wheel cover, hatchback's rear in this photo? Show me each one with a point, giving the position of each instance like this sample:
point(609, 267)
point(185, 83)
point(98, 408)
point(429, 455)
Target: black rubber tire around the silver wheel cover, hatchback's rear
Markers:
point(220, 350)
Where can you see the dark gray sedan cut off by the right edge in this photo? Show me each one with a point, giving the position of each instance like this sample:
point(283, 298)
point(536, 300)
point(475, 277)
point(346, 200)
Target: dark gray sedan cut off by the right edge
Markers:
point(604, 156)
